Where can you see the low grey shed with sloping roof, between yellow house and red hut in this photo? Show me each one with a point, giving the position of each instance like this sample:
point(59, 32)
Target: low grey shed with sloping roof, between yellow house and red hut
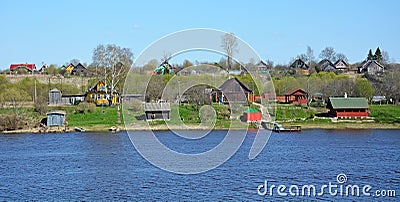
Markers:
point(157, 111)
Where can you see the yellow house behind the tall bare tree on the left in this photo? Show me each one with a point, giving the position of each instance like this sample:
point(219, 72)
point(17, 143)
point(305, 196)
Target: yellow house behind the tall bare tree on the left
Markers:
point(100, 95)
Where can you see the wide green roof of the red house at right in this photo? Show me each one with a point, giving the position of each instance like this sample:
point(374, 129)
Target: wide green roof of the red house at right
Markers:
point(349, 103)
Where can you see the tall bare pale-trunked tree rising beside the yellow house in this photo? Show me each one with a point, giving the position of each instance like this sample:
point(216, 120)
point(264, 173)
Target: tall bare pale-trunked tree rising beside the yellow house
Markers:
point(115, 61)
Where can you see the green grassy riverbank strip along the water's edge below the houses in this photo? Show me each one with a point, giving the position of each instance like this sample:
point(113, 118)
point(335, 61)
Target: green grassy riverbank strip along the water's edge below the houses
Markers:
point(102, 118)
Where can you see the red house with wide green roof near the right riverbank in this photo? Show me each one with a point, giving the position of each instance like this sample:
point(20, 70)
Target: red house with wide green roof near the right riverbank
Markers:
point(354, 107)
